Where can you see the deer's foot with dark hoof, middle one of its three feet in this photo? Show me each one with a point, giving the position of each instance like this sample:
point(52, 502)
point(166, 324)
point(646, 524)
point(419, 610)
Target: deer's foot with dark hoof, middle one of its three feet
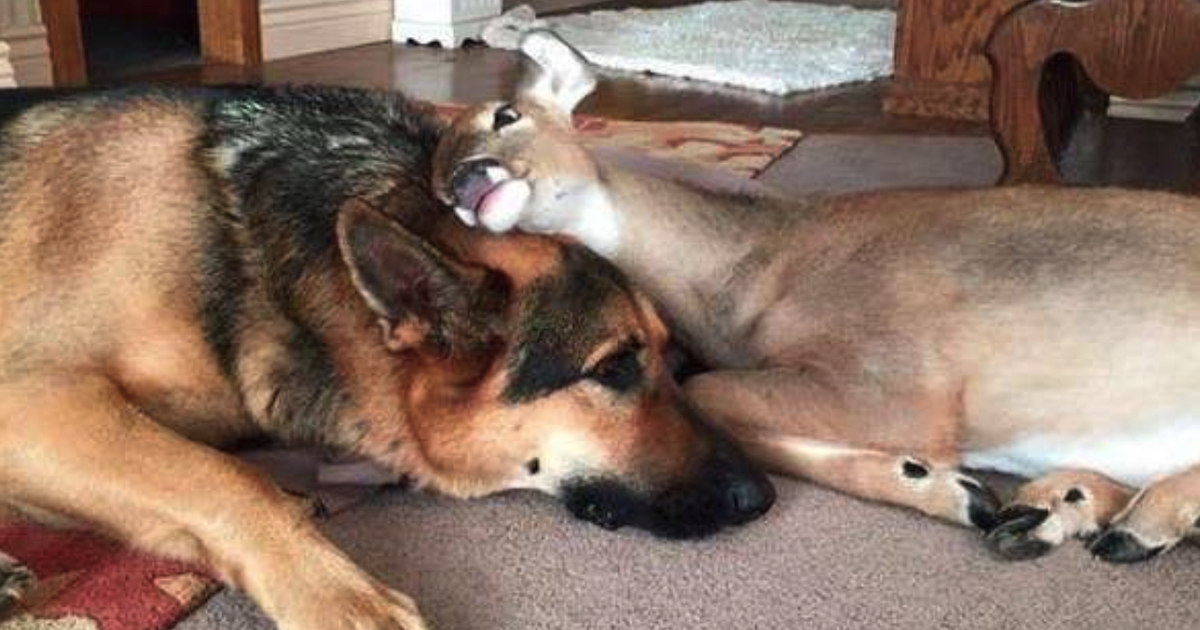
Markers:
point(1053, 509)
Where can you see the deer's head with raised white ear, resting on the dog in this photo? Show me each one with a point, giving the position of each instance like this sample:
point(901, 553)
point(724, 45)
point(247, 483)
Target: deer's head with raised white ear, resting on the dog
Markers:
point(518, 164)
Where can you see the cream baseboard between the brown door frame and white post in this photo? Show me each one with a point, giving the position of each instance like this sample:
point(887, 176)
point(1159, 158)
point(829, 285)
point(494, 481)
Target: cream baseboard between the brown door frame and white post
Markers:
point(302, 27)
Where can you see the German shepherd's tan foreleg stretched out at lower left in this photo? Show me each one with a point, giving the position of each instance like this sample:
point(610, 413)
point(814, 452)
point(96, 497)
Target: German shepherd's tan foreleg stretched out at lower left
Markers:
point(76, 447)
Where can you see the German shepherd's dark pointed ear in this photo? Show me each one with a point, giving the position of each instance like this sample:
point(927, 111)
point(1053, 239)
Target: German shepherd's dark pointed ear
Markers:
point(405, 280)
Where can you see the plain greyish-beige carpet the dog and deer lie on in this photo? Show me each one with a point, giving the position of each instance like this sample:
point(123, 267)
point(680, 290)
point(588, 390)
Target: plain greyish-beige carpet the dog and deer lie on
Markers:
point(819, 561)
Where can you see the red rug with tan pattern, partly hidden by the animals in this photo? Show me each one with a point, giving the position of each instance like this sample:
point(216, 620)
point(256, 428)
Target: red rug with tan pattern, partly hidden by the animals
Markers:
point(88, 583)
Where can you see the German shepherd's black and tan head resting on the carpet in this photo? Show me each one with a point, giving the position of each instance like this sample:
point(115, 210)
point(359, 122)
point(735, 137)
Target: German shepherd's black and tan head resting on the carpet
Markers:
point(533, 364)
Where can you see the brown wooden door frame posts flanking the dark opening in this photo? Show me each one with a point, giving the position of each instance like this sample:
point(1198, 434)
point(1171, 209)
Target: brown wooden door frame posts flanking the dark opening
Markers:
point(231, 33)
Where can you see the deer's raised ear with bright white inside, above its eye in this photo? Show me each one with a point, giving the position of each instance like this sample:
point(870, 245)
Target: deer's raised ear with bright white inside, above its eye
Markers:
point(557, 75)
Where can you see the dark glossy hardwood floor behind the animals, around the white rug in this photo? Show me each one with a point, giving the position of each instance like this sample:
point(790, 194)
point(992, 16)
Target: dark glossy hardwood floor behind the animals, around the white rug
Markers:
point(1109, 152)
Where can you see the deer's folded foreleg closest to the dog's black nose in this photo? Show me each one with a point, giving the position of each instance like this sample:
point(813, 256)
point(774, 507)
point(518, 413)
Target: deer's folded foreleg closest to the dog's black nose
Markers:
point(794, 424)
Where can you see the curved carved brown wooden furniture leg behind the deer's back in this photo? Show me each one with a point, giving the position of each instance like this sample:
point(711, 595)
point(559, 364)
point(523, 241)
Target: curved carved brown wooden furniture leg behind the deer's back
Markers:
point(1130, 49)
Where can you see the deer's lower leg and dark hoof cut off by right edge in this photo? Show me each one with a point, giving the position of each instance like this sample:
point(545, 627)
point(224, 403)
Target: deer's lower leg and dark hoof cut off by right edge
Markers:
point(1157, 519)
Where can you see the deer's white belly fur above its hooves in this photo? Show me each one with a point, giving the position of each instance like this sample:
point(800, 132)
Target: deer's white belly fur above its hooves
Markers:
point(1132, 457)
